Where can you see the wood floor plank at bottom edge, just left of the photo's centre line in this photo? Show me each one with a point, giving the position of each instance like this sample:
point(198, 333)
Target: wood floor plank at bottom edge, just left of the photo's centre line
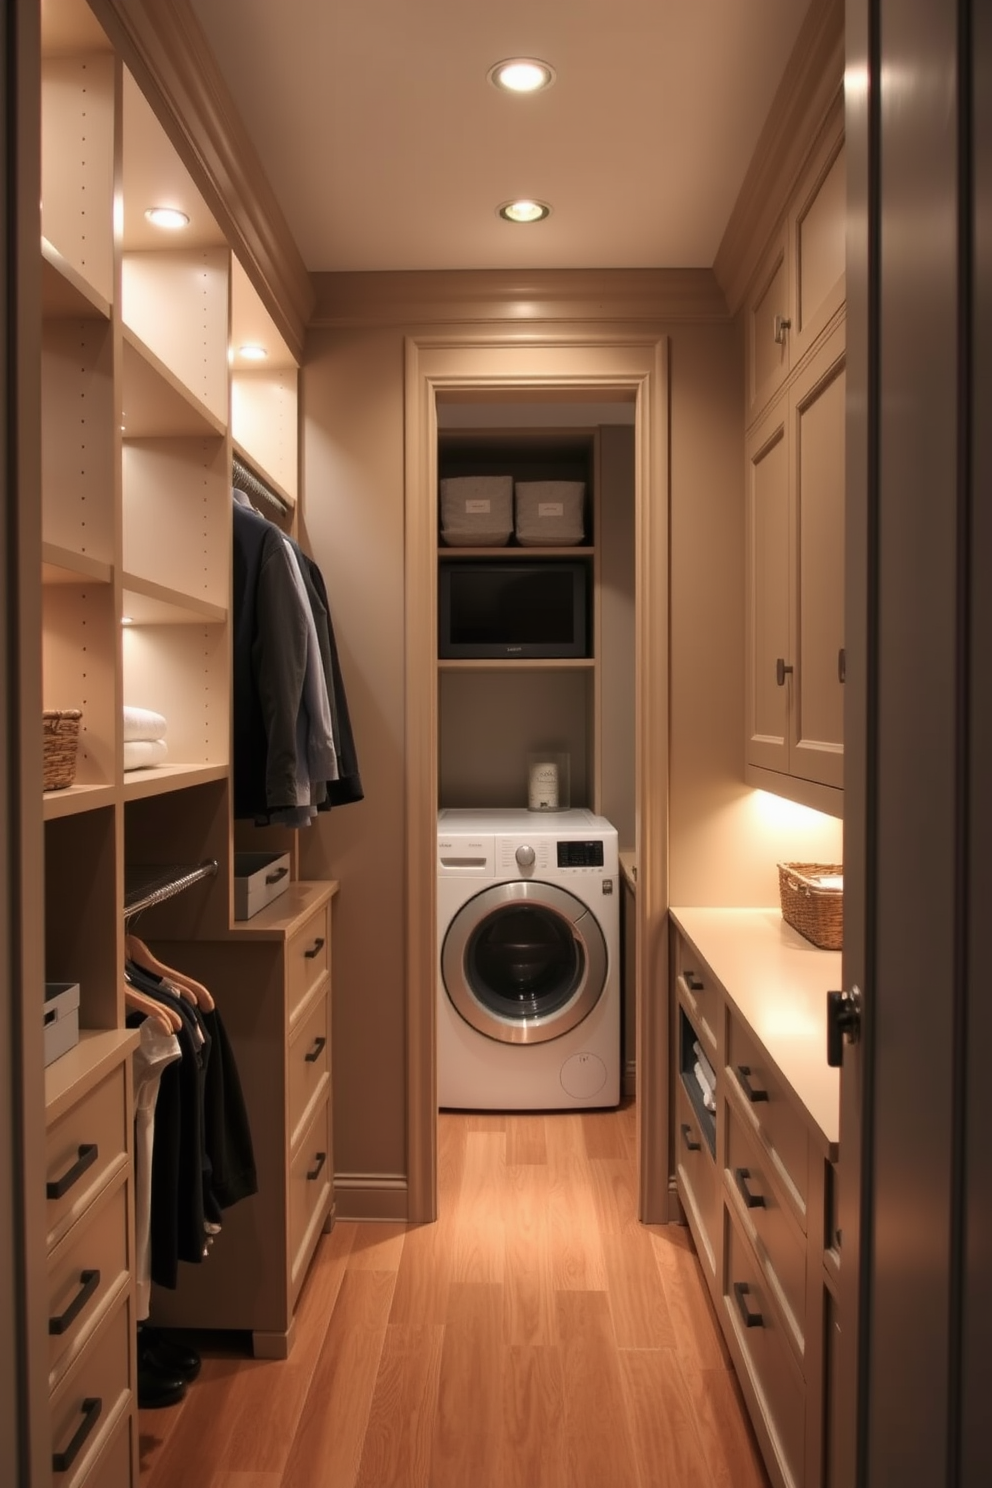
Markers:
point(469, 1426)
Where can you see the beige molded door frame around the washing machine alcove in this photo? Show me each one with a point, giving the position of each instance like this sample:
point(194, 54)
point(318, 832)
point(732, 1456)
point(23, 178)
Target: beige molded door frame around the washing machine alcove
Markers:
point(566, 364)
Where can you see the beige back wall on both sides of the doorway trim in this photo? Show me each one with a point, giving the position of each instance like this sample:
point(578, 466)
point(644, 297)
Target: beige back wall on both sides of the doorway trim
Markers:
point(353, 520)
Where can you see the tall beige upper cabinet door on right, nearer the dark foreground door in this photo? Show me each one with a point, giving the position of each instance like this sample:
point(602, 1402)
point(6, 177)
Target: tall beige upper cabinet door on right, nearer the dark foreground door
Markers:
point(819, 422)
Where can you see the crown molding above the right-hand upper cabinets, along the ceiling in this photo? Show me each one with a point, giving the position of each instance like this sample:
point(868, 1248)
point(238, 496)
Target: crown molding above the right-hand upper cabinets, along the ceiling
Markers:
point(808, 102)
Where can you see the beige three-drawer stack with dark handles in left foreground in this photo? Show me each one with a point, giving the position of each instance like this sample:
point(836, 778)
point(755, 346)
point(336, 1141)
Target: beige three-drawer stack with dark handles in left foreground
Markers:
point(88, 1181)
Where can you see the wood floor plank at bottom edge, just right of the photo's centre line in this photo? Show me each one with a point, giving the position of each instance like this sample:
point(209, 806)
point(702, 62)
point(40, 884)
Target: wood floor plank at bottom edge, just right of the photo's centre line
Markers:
point(533, 1419)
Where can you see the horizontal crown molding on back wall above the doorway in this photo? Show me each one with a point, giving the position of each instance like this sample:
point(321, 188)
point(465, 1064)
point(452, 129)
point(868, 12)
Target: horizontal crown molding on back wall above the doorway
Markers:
point(478, 297)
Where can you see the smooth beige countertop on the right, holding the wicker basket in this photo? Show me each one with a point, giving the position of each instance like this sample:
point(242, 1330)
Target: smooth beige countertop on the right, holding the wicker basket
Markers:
point(779, 983)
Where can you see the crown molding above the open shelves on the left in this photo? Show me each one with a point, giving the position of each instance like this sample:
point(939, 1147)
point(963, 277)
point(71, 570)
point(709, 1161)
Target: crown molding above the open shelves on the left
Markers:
point(167, 51)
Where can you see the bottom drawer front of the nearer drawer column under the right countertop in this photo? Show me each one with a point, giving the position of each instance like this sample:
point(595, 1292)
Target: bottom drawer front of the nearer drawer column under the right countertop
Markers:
point(768, 1358)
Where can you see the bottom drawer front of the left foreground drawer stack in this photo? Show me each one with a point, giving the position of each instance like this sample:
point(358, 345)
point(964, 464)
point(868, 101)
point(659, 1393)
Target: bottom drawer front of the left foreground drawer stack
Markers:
point(87, 1401)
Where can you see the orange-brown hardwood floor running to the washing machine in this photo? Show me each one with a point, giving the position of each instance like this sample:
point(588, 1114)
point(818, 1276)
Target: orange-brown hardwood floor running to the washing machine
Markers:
point(536, 1337)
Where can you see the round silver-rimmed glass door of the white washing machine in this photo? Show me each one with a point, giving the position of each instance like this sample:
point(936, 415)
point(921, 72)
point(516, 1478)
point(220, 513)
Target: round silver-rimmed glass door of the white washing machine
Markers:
point(524, 962)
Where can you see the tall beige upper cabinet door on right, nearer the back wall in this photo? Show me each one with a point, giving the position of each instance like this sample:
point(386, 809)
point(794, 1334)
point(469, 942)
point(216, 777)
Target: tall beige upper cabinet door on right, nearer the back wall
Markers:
point(768, 620)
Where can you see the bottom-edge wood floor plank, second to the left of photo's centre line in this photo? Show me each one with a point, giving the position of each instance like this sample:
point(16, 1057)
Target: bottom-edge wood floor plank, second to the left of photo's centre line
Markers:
point(399, 1438)
